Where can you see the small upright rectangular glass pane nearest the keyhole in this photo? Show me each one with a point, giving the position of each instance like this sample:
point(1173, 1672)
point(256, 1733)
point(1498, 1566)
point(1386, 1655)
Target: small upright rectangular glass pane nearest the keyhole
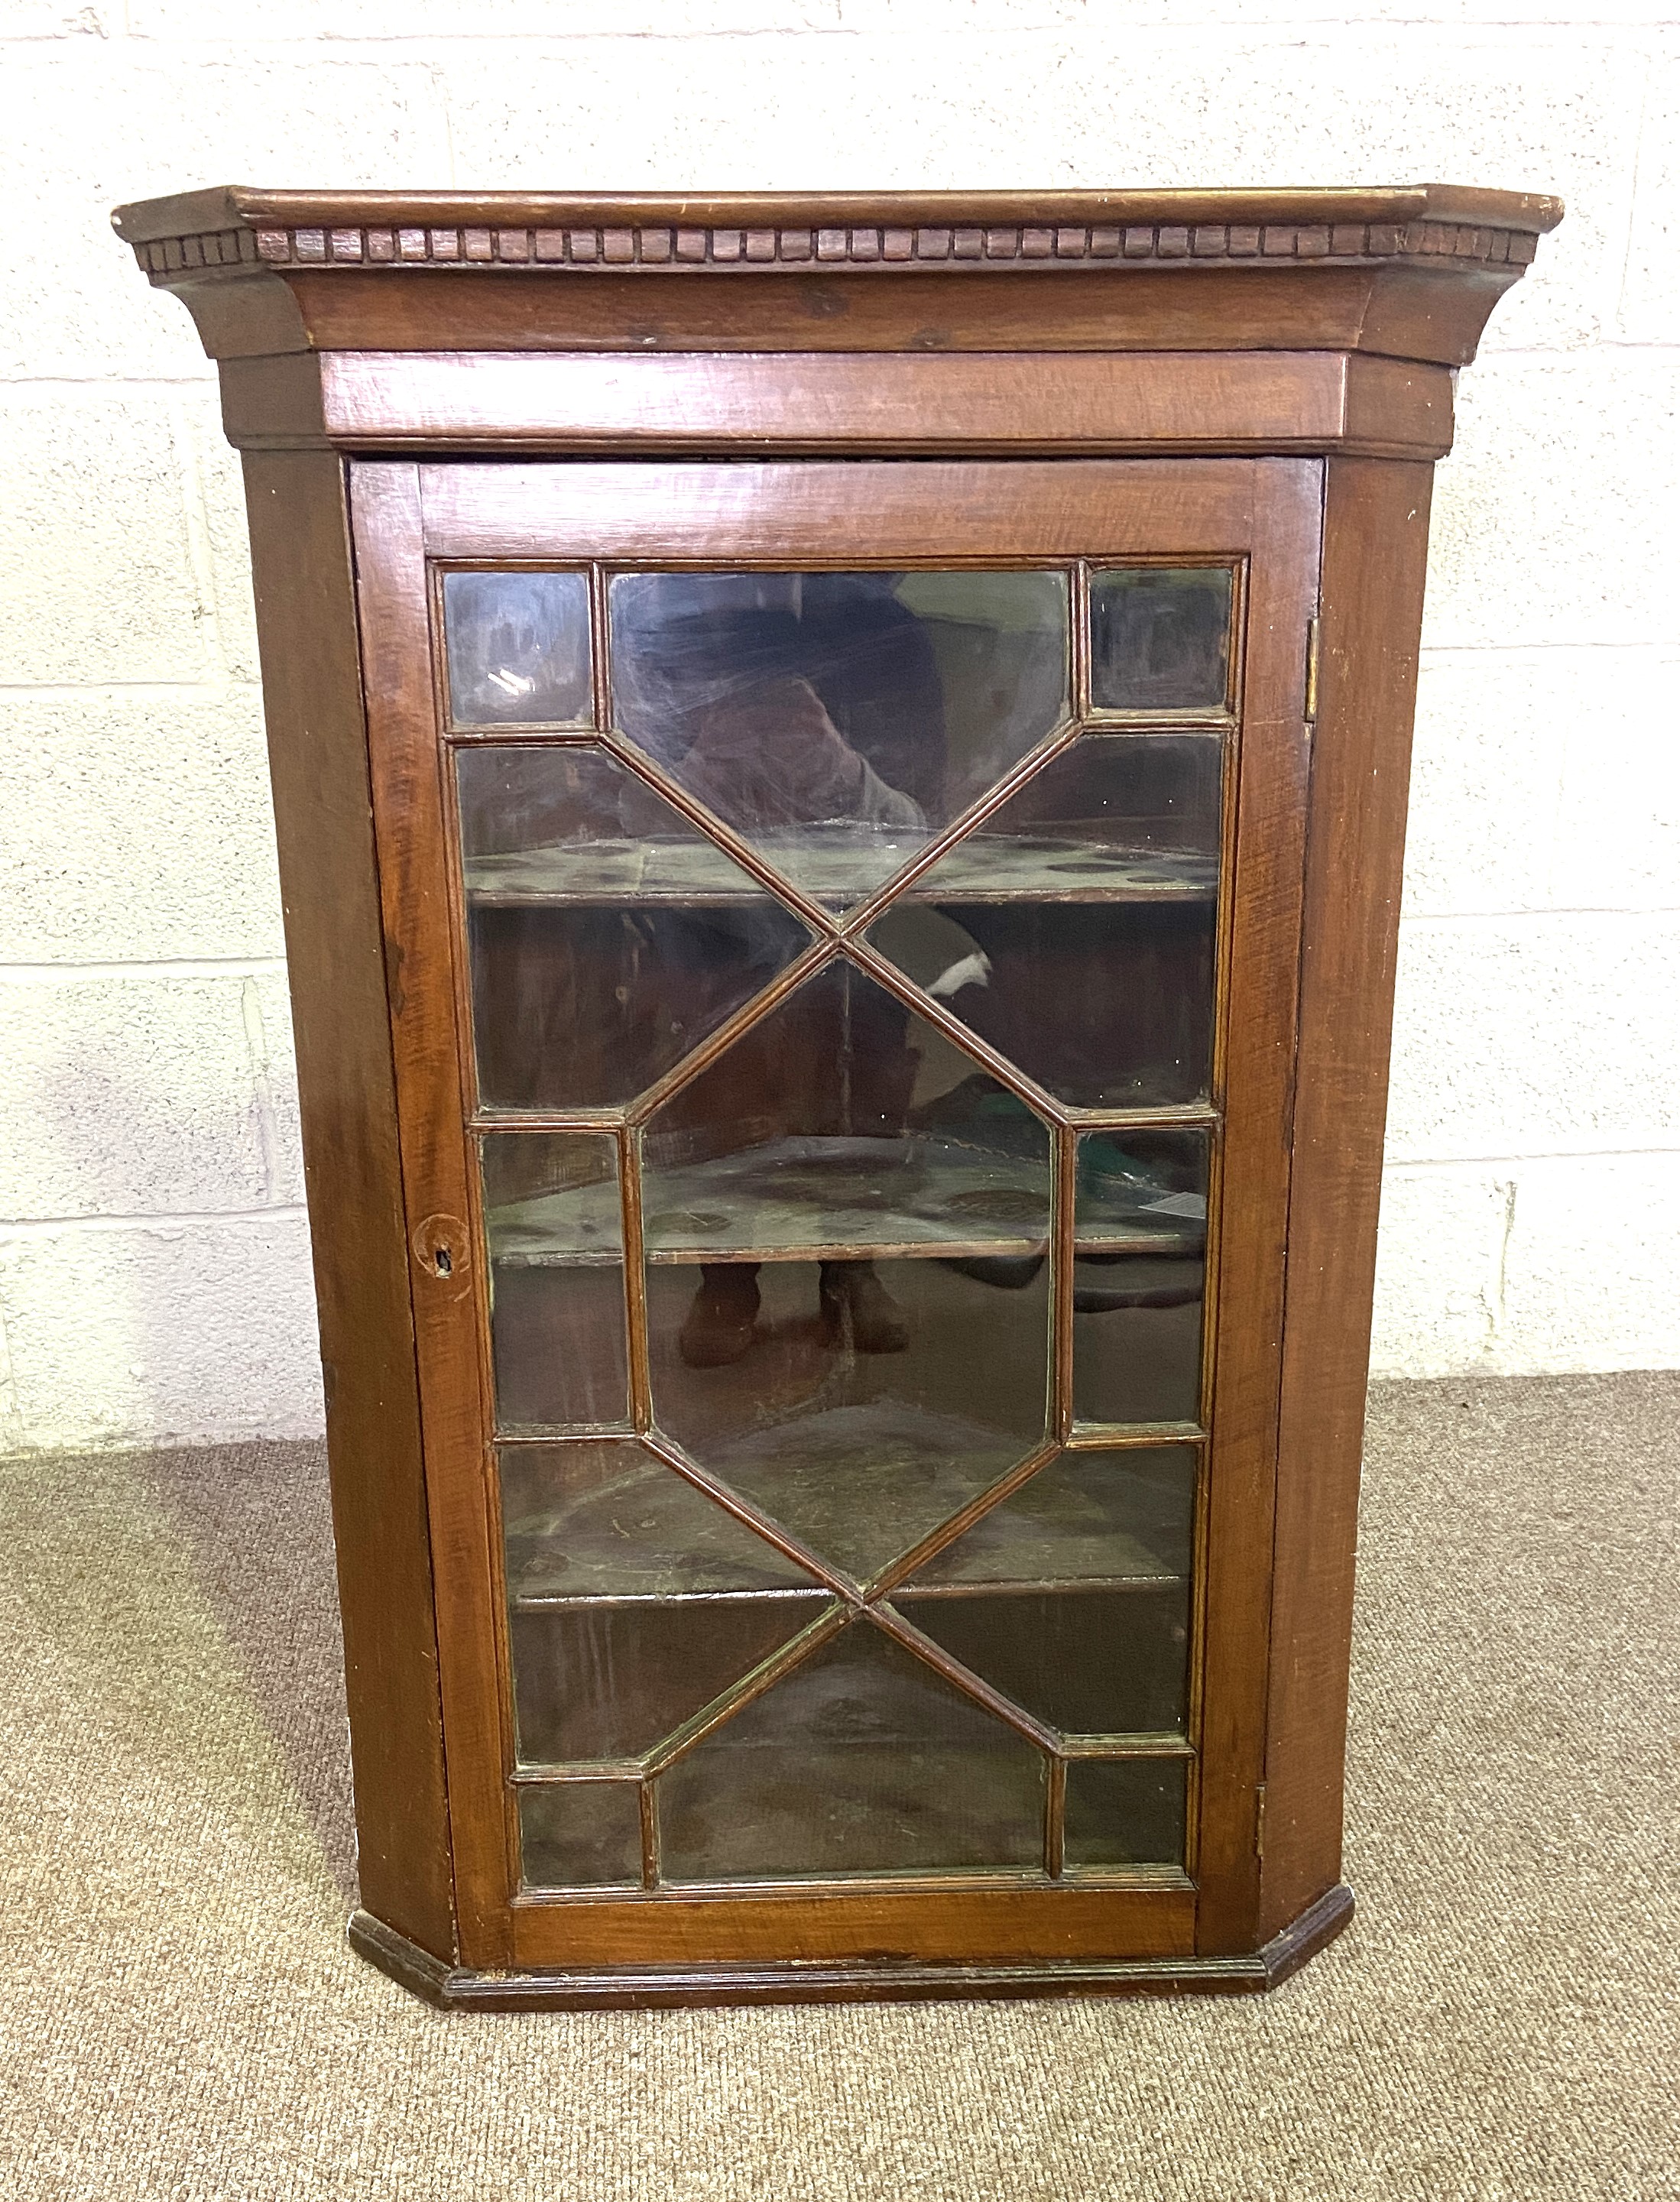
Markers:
point(558, 1313)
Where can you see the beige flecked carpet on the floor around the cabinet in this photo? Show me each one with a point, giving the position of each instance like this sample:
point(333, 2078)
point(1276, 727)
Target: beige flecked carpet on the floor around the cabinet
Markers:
point(179, 2014)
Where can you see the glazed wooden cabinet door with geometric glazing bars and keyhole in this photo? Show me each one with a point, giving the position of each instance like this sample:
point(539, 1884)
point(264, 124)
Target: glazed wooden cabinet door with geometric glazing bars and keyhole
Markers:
point(842, 961)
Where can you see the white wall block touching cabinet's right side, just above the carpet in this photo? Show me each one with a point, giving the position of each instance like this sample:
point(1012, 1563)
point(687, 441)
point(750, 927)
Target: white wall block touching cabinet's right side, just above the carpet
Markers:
point(1439, 1265)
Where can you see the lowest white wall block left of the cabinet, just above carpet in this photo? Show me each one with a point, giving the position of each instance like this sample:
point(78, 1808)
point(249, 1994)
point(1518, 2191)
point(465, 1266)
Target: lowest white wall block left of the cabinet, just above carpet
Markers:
point(162, 1333)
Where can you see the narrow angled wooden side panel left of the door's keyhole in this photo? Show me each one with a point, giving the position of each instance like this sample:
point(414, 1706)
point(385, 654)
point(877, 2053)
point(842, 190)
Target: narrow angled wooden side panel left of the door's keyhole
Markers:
point(312, 684)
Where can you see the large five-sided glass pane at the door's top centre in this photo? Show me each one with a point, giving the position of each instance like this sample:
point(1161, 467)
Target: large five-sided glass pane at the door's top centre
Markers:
point(840, 719)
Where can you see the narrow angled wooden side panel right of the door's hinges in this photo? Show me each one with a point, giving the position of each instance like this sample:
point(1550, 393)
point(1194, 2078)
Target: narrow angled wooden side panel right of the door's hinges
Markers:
point(1377, 536)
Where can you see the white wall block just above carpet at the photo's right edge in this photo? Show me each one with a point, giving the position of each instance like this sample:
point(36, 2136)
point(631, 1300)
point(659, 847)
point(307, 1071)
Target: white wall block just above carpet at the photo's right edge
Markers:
point(1591, 1272)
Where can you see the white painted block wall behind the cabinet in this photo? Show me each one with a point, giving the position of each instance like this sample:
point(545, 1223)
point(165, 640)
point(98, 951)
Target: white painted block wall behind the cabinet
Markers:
point(153, 1241)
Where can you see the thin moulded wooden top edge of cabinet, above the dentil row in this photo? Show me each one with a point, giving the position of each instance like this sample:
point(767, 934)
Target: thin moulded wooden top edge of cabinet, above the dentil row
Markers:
point(246, 208)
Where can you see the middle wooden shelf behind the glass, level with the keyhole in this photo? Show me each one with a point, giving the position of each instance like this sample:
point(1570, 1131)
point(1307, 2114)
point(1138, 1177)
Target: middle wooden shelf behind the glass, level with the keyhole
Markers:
point(840, 1199)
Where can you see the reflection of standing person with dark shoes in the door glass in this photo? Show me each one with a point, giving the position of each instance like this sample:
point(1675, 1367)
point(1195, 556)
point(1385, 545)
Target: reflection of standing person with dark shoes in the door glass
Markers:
point(783, 704)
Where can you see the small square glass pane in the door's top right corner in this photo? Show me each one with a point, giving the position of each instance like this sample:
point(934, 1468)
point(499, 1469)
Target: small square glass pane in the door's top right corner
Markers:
point(1159, 637)
